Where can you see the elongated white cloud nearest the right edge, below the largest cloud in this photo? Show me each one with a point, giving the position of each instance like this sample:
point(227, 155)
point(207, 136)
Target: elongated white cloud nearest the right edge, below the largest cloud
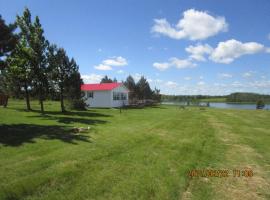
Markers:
point(226, 52)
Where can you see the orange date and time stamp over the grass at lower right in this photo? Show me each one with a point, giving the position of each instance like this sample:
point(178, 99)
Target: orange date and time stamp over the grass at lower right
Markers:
point(220, 173)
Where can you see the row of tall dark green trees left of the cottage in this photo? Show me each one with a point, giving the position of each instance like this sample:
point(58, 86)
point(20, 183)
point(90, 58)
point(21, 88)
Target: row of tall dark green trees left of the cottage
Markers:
point(32, 67)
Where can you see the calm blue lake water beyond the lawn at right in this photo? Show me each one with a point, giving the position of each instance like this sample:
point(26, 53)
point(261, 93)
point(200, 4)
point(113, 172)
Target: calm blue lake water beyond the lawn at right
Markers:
point(225, 105)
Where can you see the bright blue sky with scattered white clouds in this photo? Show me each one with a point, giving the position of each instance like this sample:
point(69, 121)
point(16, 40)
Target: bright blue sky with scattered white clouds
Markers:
point(182, 47)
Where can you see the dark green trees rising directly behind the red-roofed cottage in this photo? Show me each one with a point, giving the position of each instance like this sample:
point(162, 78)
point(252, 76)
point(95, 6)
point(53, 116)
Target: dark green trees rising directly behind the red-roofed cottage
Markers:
point(139, 90)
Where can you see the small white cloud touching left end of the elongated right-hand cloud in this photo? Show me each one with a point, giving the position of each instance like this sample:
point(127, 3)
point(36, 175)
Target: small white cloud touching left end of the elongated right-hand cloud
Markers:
point(197, 52)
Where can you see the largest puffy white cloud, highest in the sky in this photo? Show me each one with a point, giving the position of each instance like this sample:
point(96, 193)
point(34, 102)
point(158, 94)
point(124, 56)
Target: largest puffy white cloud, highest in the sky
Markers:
point(195, 25)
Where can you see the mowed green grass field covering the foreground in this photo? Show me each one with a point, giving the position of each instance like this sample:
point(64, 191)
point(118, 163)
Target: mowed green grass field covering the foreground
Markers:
point(137, 154)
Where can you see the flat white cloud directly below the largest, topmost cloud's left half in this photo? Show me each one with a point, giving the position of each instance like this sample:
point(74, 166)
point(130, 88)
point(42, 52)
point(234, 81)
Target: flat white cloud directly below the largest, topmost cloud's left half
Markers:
point(174, 62)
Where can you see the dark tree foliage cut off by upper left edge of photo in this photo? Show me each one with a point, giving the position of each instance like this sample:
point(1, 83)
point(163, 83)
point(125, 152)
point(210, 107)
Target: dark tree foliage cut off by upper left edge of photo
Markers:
point(8, 41)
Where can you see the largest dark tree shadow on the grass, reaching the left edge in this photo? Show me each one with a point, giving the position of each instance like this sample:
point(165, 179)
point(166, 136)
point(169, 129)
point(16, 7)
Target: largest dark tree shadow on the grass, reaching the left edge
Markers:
point(18, 134)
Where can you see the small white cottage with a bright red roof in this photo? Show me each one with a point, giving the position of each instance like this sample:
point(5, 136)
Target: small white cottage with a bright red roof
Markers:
point(105, 94)
